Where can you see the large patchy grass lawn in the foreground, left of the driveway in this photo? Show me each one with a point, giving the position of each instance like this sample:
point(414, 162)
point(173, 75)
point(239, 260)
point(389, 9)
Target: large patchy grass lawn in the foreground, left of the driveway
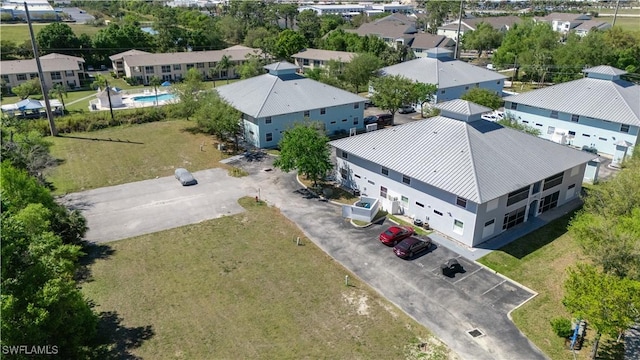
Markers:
point(238, 287)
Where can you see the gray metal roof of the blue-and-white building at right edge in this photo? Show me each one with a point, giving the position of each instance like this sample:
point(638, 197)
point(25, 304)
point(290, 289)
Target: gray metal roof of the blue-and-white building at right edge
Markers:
point(616, 101)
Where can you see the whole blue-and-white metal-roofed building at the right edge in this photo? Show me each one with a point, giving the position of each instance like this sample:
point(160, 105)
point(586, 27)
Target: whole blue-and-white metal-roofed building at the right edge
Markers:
point(600, 111)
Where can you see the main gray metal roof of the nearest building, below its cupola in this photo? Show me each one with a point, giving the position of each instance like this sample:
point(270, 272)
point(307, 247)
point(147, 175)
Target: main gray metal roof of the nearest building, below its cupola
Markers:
point(479, 161)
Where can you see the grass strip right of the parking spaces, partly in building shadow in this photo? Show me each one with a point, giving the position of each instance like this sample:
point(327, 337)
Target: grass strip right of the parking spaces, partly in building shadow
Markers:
point(538, 261)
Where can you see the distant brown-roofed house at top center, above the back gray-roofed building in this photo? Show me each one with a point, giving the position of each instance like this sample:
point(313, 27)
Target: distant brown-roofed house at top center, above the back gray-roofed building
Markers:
point(393, 29)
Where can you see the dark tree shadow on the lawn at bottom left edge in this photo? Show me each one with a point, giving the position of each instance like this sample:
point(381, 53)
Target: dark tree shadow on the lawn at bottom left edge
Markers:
point(115, 340)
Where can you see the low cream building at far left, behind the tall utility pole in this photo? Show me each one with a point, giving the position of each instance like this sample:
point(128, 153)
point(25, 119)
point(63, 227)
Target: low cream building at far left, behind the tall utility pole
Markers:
point(57, 68)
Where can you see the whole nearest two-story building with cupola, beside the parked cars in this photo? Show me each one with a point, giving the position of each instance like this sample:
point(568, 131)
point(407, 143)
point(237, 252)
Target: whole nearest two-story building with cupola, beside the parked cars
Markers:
point(468, 178)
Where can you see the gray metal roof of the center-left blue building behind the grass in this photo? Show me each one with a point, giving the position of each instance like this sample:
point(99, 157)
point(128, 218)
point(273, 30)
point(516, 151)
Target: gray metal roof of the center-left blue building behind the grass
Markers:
point(270, 95)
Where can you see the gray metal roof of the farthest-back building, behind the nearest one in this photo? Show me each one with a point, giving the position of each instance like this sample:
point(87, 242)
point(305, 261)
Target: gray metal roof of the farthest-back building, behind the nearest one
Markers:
point(445, 74)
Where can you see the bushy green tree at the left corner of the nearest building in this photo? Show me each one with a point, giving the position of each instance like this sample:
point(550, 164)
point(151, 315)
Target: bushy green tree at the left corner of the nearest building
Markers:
point(305, 148)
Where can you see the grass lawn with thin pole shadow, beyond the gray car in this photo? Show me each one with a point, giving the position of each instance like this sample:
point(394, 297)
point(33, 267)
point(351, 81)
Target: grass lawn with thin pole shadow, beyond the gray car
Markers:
point(96, 159)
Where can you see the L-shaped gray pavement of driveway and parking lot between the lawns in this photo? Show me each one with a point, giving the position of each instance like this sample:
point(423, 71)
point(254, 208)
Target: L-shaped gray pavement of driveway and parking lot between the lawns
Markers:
point(469, 312)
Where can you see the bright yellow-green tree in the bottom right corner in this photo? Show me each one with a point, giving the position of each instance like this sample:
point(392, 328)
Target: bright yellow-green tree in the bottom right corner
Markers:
point(608, 303)
